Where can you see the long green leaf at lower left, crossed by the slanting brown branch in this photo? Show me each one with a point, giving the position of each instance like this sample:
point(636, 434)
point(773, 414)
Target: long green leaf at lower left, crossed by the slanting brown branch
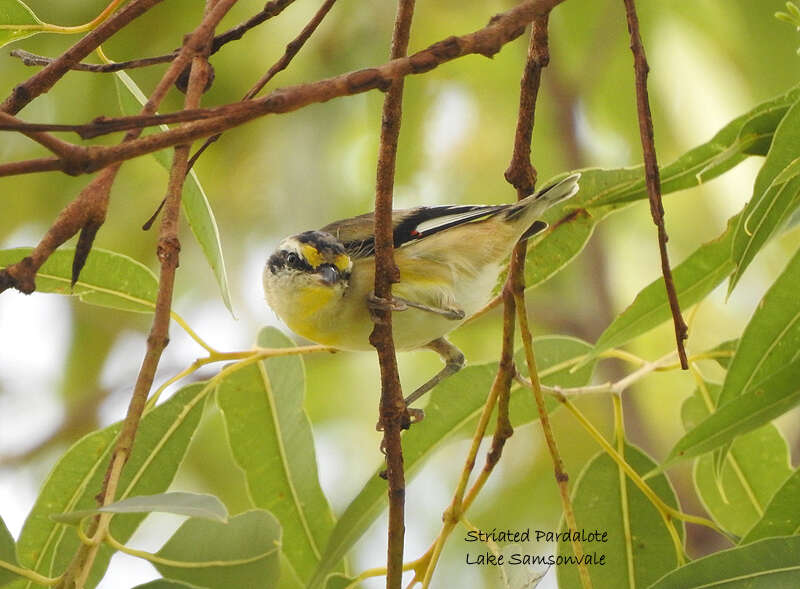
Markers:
point(163, 436)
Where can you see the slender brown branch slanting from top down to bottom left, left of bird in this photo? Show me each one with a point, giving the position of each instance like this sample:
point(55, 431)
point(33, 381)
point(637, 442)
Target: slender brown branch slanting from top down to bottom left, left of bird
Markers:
point(168, 253)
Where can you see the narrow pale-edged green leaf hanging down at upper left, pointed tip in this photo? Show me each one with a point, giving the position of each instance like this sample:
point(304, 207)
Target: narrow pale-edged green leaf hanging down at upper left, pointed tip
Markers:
point(194, 200)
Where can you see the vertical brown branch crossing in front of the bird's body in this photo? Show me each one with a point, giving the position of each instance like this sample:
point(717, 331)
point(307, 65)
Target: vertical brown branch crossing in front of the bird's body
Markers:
point(393, 412)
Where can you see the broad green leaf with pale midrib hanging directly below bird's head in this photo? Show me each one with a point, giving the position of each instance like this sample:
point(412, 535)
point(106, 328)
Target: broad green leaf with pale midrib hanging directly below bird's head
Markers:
point(270, 436)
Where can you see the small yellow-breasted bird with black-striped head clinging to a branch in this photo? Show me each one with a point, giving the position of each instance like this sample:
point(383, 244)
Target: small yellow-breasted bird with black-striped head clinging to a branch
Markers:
point(320, 283)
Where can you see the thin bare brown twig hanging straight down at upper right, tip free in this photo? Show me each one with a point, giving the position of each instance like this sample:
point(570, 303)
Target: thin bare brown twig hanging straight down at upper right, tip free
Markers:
point(652, 177)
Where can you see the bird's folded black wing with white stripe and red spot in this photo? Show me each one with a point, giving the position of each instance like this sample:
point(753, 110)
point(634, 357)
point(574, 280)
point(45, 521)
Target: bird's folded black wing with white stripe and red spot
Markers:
point(410, 225)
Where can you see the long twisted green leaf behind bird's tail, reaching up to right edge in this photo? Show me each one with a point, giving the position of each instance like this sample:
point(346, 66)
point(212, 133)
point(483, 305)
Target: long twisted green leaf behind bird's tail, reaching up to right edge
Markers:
point(604, 191)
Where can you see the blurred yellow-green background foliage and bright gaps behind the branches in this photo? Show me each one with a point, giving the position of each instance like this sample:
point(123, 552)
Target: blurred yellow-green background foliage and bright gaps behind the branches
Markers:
point(66, 367)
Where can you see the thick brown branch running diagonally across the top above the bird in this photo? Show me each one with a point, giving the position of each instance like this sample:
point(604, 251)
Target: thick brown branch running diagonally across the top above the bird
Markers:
point(486, 41)
